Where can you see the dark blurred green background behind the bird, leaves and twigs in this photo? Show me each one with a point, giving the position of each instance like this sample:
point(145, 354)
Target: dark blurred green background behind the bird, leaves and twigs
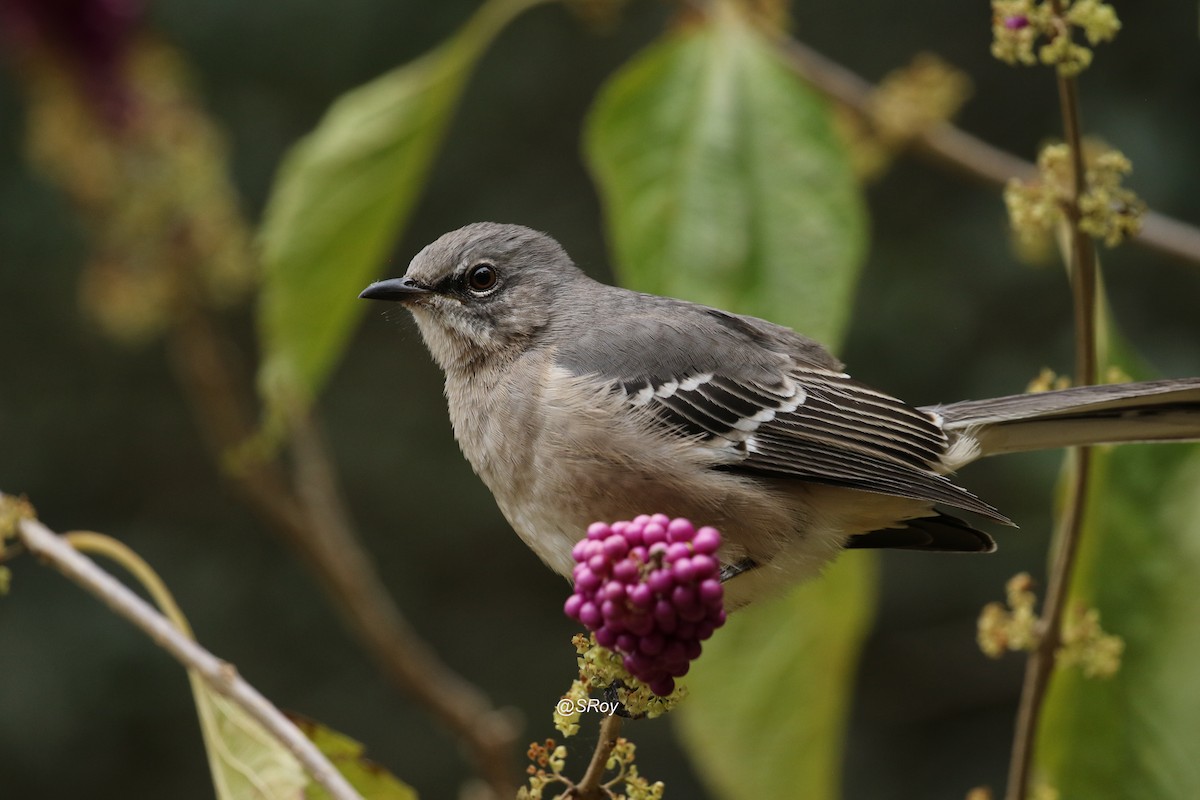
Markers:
point(100, 437)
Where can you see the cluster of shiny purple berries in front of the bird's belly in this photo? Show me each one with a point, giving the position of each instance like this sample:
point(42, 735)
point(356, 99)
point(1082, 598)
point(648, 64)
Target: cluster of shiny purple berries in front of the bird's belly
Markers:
point(651, 591)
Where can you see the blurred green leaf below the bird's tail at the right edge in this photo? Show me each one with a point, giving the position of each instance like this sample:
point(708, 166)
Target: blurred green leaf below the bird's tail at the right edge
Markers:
point(1135, 736)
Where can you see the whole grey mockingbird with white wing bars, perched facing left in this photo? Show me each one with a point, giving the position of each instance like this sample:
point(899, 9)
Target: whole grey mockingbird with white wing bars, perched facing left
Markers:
point(579, 402)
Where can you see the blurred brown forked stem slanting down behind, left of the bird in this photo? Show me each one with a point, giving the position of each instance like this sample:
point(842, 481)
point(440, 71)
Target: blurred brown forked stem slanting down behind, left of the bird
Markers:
point(314, 520)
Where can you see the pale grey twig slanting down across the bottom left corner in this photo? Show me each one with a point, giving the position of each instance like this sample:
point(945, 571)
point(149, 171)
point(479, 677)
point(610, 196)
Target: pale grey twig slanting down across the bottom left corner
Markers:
point(220, 676)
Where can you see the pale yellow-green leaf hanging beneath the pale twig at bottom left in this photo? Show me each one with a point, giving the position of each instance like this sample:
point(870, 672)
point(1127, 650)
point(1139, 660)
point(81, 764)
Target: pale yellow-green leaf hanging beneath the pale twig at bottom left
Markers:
point(247, 762)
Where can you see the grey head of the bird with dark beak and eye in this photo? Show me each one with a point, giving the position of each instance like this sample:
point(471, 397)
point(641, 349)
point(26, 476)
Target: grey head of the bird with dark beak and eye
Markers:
point(482, 293)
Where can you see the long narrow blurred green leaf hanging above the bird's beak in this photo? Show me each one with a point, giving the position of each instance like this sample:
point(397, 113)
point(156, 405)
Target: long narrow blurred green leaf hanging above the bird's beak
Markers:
point(343, 199)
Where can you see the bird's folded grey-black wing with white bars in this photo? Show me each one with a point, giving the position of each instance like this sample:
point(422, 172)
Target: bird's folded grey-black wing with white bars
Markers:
point(772, 408)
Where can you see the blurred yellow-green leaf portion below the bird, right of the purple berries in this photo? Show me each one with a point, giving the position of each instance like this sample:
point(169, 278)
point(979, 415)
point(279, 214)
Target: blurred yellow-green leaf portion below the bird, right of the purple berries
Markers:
point(771, 694)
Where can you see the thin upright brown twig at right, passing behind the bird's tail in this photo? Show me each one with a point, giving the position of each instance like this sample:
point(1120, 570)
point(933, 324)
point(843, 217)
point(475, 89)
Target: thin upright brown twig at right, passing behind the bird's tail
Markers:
point(1083, 269)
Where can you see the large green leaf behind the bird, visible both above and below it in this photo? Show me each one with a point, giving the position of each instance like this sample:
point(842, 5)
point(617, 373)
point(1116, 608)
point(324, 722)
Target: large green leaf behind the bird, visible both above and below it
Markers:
point(724, 184)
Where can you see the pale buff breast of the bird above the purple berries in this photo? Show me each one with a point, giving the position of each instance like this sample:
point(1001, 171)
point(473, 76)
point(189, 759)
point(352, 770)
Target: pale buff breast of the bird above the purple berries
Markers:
point(561, 452)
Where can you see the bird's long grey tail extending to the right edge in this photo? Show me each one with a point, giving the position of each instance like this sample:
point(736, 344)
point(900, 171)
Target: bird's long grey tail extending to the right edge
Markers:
point(1155, 411)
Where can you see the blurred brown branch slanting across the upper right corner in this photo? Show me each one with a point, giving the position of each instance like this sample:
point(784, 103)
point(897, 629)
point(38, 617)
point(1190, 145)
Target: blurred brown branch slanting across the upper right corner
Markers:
point(970, 157)
